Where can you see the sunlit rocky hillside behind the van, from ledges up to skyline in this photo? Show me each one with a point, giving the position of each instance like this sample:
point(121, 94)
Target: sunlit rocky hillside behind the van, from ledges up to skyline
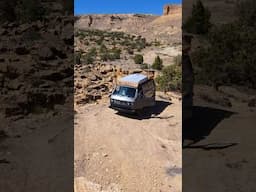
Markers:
point(108, 44)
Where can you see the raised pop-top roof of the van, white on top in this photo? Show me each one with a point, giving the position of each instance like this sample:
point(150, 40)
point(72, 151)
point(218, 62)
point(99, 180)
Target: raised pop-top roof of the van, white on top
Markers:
point(133, 80)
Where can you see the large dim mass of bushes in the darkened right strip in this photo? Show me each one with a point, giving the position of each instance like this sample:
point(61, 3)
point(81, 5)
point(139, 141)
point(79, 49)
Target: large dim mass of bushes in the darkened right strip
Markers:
point(230, 57)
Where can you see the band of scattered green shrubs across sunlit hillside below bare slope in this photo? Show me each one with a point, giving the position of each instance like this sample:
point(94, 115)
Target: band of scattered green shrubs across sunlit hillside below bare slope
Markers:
point(109, 45)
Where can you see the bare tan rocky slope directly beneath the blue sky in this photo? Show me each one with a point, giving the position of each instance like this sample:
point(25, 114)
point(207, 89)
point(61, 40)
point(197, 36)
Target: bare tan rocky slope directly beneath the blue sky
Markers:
point(166, 28)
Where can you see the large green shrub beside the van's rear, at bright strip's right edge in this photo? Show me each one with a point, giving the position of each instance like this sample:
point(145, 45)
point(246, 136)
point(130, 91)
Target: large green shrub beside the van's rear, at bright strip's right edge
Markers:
point(171, 78)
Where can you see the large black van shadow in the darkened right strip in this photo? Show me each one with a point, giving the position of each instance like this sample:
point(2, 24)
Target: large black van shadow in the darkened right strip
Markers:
point(203, 122)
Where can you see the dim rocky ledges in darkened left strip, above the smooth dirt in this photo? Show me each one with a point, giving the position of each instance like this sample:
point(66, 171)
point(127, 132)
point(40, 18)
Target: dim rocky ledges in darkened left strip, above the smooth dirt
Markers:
point(37, 73)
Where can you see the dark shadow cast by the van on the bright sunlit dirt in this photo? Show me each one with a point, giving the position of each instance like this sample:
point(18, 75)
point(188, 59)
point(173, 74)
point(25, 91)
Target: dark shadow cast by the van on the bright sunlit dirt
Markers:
point(149, 112)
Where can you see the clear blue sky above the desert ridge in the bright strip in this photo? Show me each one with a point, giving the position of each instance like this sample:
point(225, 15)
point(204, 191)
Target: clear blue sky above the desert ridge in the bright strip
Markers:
point(121, 6)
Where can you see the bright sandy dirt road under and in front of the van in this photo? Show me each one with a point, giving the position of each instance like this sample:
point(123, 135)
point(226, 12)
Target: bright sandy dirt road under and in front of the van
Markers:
point(115, 152)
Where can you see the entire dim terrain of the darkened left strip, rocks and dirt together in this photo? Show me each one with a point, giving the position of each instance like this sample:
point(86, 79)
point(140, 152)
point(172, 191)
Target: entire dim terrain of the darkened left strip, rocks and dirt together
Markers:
point(36, 102)
